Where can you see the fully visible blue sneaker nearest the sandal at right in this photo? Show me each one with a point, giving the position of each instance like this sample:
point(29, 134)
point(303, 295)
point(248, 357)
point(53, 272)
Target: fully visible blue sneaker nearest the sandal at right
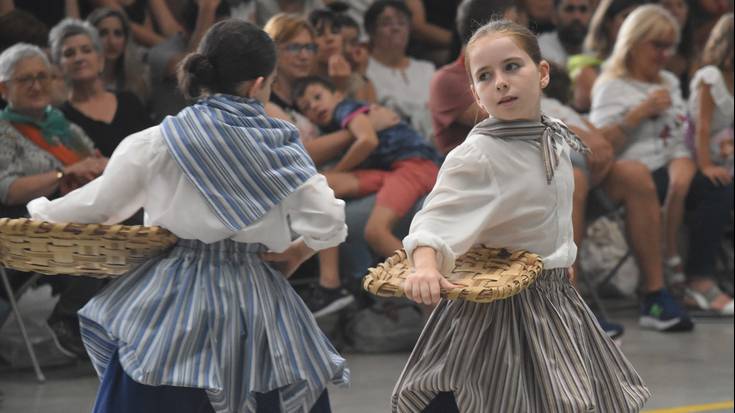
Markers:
point(659, 311)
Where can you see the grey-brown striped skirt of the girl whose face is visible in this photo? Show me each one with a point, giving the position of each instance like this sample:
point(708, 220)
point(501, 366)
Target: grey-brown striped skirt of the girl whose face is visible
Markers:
point(539, 351)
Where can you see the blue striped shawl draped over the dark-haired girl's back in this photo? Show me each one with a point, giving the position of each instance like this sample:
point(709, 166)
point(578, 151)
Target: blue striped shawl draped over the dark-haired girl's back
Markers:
point(241, 160)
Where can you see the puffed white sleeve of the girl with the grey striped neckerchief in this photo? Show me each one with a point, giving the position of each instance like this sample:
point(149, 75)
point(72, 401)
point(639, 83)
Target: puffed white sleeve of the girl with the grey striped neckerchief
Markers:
point(457, 210)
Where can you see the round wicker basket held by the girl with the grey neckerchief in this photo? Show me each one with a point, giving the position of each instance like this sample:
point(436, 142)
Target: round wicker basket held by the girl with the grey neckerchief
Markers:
point(486, 274)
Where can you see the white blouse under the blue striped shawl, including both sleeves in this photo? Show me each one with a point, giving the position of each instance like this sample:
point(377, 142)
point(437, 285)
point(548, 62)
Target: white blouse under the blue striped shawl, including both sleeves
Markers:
point(142, 173)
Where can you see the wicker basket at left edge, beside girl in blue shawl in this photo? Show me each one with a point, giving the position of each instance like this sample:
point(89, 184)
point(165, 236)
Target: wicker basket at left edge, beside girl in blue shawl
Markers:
point(78, 249)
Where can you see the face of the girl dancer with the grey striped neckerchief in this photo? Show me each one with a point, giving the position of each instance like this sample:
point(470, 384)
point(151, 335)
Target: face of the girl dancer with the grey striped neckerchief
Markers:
point(505, 81)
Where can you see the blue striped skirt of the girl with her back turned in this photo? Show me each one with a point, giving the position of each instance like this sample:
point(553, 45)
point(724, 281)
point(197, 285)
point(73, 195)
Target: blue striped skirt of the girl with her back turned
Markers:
point(215, 317)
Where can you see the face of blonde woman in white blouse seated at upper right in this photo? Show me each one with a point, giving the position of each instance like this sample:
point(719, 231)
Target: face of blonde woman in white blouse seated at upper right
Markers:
point(649, 56)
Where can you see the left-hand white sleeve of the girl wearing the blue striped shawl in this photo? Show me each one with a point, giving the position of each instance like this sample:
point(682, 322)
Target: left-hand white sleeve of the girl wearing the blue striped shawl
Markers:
point(111, 198)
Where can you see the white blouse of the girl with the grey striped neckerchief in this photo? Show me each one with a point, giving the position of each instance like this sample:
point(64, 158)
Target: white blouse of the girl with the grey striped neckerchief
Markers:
point(493, 191)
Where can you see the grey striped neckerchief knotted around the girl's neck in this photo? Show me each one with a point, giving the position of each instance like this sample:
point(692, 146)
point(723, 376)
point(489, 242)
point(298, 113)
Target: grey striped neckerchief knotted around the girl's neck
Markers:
point(548, 133)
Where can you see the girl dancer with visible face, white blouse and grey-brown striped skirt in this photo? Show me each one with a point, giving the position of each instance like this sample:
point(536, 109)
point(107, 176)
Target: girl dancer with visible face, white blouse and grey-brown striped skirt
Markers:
point(508, 185)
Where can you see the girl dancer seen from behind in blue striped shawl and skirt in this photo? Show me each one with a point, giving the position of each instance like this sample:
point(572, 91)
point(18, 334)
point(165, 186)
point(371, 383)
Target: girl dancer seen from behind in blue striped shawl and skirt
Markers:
point(210, 326)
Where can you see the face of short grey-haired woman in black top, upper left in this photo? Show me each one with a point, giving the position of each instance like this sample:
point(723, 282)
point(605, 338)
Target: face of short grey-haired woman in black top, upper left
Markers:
point(79, 58)
